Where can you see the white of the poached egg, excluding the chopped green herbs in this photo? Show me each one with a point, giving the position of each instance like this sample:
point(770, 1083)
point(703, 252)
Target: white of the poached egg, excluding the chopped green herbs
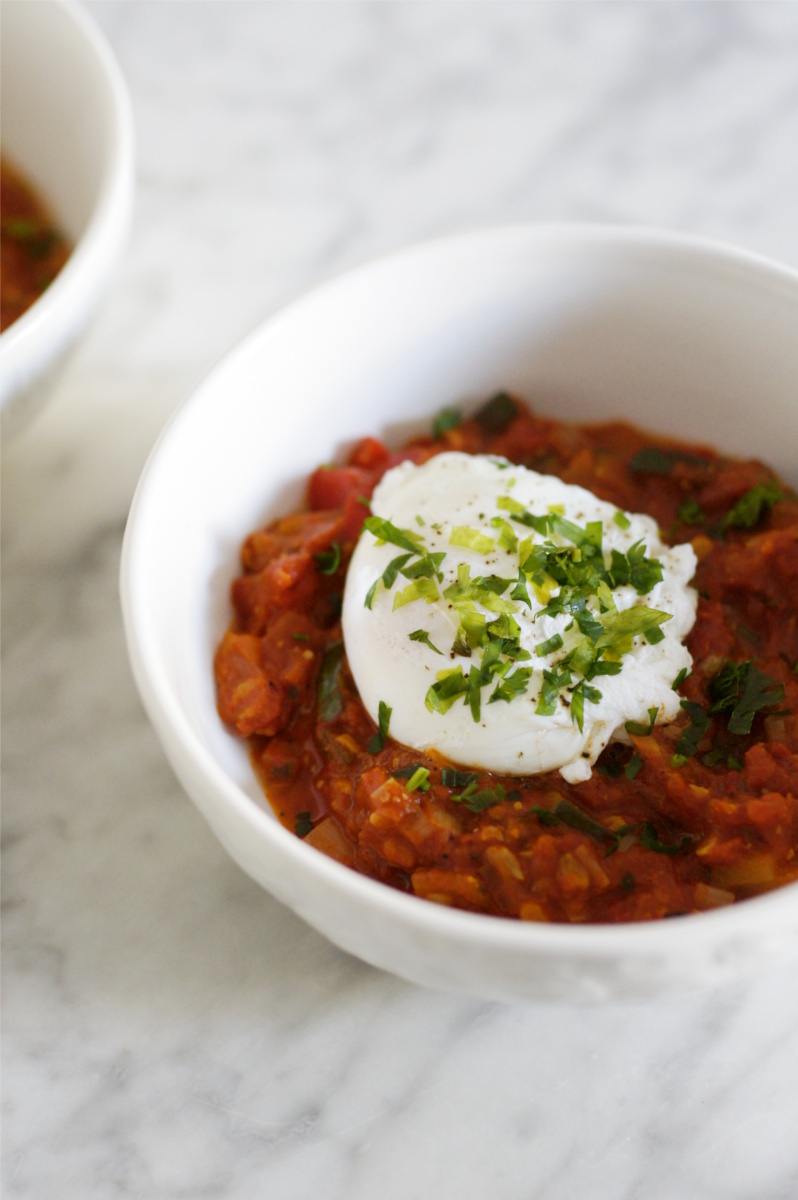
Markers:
point(459, 490)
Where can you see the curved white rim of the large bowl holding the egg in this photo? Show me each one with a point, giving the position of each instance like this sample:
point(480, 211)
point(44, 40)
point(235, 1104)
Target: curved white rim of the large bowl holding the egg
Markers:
point(190, 758)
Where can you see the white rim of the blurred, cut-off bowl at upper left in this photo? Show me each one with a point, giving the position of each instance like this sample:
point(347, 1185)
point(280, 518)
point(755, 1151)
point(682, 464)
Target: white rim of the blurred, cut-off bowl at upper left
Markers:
point(61, 307)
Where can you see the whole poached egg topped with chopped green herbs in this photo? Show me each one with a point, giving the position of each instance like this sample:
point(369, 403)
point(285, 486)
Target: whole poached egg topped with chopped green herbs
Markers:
point(513, 622)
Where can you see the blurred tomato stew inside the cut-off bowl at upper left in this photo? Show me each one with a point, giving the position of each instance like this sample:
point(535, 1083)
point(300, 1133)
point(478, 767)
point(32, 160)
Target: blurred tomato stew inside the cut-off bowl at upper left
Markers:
point(33, 250)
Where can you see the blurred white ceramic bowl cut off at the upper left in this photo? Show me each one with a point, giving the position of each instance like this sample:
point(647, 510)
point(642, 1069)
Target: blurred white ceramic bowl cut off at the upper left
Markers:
point(68, 127)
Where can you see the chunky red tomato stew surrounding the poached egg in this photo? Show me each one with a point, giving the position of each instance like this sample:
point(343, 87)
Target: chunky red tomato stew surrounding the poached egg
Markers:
point(691, 817)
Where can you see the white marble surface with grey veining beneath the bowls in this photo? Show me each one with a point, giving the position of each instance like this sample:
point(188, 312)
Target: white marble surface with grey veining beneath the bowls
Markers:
point(170, 1031)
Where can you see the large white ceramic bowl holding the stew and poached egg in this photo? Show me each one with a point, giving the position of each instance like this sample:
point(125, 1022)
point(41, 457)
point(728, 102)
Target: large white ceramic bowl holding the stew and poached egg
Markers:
point(679, 335)
